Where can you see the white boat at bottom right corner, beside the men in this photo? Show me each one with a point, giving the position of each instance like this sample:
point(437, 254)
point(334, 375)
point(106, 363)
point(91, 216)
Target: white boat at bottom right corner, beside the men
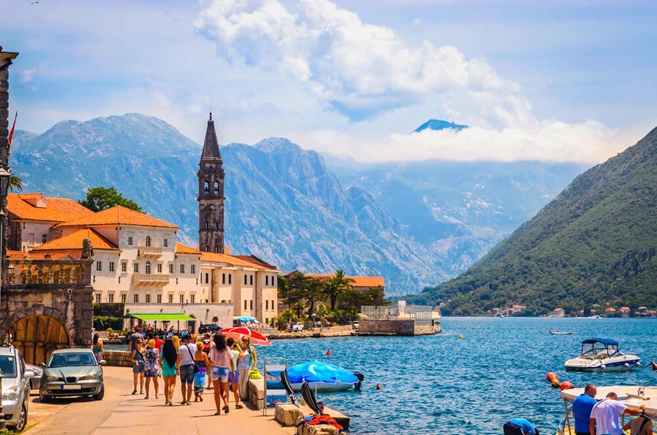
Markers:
point(629, 395)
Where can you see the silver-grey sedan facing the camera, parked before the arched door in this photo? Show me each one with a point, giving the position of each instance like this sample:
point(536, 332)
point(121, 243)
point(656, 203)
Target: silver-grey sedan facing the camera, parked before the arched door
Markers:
point(72, 372)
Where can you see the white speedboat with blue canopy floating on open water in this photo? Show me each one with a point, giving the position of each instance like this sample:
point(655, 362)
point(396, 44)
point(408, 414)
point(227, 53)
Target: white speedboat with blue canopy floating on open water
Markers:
point(600, 355)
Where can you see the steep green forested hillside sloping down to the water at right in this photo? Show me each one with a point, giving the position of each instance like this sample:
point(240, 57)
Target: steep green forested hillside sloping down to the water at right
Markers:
point(595, 243)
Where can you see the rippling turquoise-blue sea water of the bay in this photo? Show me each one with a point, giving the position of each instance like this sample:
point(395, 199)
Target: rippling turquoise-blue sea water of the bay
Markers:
point(445, 385)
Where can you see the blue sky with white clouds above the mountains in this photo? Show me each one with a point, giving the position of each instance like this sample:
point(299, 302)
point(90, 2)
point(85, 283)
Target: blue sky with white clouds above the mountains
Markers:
point(535, 80)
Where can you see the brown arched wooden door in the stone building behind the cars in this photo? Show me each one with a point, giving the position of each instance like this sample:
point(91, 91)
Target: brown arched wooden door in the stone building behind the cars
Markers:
point(37, 336)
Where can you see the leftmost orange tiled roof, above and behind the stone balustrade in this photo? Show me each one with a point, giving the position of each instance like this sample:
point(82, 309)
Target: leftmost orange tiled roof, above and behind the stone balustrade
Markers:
point(24, 207)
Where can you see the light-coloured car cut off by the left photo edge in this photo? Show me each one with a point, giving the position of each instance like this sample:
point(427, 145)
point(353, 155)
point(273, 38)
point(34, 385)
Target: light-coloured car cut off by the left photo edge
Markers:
point(15, 388)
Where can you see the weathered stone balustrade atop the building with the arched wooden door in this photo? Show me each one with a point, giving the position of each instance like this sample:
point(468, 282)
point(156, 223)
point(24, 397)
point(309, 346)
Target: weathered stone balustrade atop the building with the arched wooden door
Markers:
point(65, 272)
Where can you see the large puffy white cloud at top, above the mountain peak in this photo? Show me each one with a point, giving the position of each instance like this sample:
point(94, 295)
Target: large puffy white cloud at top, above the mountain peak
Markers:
point(358, 69)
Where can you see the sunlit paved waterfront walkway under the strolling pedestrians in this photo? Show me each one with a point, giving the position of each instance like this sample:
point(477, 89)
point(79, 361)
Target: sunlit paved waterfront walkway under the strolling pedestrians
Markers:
point(122, 413)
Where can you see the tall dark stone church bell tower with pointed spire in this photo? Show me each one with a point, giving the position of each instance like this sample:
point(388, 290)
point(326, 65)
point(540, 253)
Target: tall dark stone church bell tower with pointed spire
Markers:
point(211, 194)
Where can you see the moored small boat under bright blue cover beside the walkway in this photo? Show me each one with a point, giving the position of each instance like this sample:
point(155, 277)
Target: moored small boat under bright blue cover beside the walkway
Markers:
point(322, 377)
